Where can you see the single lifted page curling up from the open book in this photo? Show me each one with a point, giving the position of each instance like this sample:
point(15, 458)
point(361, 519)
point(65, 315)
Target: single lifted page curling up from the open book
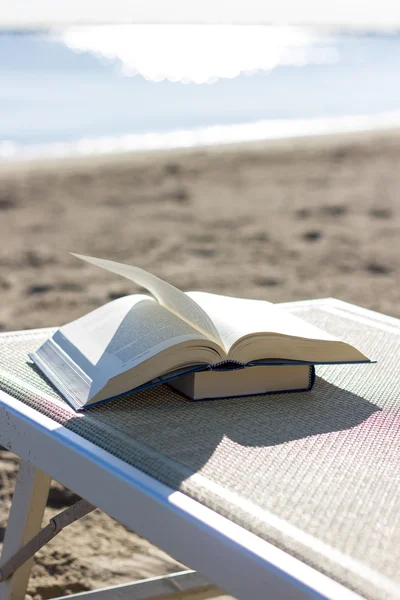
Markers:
point(166, 294)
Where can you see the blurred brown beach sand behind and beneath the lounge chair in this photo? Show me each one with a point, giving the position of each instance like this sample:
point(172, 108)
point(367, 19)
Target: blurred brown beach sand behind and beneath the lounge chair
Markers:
point(291, 220)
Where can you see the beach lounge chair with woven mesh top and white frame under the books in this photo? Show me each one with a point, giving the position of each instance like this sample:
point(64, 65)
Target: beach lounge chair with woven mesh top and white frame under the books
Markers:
point(288, 496)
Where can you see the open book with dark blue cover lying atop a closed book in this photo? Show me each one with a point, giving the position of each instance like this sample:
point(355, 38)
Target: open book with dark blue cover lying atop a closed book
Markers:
point(142, 339)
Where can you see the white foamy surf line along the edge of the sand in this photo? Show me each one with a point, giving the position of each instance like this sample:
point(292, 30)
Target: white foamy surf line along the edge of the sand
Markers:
point(204, 136)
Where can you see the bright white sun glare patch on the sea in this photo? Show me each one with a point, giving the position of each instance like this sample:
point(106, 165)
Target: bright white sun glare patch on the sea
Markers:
point(200, 53)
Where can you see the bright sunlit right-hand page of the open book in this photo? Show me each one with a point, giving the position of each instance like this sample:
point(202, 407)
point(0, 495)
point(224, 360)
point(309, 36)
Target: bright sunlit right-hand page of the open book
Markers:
point(235, 318)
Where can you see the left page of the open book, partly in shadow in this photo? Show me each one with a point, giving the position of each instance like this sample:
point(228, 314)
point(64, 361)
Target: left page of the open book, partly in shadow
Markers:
point(122, 334)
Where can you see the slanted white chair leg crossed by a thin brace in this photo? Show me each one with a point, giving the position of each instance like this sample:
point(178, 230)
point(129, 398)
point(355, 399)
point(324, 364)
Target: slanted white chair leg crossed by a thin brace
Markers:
point(25, 520)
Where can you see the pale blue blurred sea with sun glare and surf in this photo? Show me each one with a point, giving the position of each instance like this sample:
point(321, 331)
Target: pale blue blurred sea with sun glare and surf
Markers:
point(70, 94)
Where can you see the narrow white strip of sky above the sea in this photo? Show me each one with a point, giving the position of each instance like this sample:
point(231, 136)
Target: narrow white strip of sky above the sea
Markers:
point(373, 15)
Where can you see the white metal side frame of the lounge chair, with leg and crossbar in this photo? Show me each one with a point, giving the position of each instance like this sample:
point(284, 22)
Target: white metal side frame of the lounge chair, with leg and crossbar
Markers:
point(228, 555)
